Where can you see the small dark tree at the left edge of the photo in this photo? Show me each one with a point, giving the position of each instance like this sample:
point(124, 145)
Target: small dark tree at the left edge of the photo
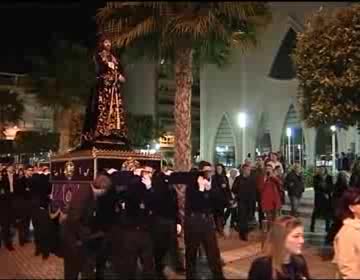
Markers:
point(11, 110)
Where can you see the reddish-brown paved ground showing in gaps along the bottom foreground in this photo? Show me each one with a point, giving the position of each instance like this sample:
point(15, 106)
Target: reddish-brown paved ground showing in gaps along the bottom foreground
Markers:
point(237, 255)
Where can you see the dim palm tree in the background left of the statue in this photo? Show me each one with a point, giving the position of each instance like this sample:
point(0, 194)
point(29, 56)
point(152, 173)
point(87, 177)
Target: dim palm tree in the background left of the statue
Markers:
point(64, 79)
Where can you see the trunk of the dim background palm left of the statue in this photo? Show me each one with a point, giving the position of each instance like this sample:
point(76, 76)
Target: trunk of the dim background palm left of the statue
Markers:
point(63, 121)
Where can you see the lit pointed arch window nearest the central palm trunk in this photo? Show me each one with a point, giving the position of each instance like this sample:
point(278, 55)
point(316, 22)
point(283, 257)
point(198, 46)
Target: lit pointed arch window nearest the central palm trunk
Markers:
point(224, 144)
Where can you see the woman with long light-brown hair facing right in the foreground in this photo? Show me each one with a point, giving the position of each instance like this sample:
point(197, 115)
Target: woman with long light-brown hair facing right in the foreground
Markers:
point(282, 252)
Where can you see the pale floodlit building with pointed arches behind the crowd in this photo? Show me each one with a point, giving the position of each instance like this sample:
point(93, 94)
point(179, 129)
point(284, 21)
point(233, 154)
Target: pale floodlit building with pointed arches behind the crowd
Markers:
point(262, 84)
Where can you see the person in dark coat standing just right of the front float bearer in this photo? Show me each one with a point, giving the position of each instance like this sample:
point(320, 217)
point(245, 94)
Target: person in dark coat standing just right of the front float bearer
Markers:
point(222, 196)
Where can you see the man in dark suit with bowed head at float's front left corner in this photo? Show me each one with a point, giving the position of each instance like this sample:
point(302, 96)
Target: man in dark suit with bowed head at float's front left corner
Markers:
point(81, 230)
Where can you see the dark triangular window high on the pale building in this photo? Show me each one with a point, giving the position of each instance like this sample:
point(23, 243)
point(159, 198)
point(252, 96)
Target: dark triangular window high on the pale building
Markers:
point(282, 67)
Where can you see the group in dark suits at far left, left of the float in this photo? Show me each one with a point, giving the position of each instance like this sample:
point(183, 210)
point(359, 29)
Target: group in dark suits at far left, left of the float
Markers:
point(24, 198)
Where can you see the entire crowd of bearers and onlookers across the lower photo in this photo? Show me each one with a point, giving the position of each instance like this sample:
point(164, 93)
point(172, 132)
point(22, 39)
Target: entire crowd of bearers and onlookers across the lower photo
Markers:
point(130, 219)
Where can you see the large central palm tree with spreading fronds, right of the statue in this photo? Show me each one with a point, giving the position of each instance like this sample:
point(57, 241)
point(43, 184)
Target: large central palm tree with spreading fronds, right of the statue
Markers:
point(181, 32)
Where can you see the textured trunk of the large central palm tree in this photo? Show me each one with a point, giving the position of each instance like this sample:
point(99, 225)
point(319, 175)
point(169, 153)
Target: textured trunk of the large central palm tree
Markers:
point(183, 79)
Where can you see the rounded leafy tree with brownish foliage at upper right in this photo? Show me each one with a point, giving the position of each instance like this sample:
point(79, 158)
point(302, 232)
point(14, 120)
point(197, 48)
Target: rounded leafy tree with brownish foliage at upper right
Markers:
point(327, 63)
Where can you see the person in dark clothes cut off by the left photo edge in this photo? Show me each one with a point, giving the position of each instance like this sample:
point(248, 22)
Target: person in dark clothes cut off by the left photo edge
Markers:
point(5, 211)
